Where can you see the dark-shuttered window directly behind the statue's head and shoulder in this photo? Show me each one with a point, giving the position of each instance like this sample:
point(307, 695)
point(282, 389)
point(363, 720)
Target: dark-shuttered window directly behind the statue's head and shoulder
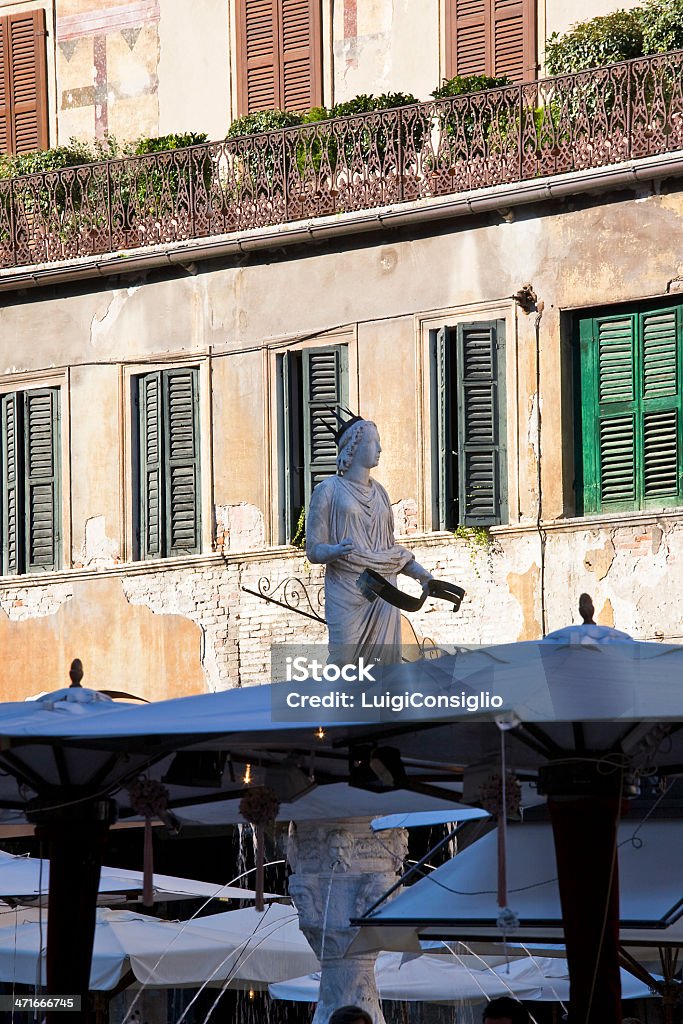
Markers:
point(314, 383)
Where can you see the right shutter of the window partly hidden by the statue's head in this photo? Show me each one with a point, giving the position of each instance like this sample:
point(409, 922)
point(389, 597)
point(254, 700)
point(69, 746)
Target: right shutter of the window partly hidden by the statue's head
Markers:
point(325, 390)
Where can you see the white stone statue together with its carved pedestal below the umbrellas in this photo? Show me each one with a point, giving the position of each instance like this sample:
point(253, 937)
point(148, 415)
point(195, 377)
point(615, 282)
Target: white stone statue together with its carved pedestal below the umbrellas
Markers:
point(343, 869)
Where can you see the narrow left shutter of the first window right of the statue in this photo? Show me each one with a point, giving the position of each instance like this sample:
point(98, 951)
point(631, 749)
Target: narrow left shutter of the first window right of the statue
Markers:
point(447, 496)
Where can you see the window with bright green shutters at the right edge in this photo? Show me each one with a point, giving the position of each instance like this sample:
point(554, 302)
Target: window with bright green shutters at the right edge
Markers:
point(631, 416)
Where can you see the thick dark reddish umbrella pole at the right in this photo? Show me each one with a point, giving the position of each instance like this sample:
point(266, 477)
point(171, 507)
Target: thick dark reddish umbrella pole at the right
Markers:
point(585, 832)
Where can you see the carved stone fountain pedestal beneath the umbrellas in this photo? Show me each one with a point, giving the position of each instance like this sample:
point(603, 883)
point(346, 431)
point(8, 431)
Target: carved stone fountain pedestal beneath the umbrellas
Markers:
point(340, 870)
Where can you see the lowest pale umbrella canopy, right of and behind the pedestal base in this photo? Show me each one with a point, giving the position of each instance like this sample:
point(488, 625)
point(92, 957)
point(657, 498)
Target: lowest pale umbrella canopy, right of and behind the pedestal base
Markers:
point(445, 979)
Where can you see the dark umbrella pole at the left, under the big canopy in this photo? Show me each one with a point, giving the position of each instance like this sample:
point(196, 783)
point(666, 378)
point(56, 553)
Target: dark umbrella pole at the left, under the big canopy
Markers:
point(75, 835)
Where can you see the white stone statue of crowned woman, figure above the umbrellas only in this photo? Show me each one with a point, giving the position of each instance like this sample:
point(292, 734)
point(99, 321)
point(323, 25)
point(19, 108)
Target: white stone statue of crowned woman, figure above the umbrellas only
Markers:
point(350, 528)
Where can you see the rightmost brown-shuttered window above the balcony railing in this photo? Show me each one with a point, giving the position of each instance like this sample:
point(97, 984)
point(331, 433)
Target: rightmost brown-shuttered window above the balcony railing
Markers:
point(492, 37)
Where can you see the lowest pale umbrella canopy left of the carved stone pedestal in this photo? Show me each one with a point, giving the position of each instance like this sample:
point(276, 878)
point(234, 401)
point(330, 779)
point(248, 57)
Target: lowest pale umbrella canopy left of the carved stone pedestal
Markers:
point(242, 949)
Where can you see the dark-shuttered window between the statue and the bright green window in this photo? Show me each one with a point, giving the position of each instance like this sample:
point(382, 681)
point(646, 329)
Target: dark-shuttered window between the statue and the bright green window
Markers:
point(471, 458)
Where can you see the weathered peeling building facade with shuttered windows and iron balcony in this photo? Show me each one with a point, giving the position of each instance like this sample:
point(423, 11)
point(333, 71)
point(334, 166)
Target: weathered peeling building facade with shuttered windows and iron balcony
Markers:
point(516, 331)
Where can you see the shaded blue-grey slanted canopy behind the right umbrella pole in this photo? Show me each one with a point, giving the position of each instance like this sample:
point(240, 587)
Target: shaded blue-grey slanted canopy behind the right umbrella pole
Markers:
point(458, 902)
